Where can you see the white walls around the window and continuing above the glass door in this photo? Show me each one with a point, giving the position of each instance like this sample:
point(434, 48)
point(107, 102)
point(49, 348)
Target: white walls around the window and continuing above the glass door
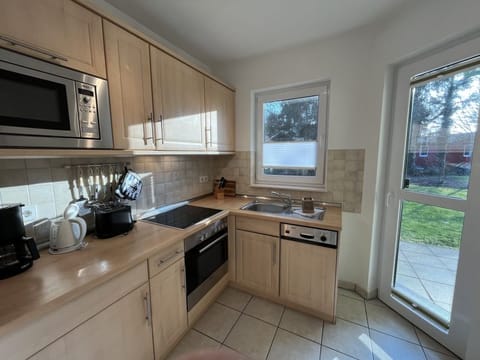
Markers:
point(358, 64)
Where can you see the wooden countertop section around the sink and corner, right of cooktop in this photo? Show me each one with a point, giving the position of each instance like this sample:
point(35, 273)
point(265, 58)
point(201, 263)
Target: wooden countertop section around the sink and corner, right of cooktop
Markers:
point(332, 219)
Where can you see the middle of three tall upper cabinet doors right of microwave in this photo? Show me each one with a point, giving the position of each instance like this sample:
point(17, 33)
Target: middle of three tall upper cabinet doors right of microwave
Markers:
point(178, 97)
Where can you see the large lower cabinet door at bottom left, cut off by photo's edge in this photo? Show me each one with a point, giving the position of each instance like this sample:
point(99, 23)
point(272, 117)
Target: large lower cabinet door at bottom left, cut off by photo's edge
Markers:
point(121, 331)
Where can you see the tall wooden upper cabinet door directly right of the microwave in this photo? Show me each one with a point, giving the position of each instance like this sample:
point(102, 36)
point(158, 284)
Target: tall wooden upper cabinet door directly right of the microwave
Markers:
point(128, 66)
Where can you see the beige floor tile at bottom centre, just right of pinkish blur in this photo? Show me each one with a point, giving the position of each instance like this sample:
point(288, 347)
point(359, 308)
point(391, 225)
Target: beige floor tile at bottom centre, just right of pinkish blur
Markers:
point(251, 337)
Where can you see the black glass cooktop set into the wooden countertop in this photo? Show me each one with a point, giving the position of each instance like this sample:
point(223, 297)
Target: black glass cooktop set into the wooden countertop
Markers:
point(183, 216)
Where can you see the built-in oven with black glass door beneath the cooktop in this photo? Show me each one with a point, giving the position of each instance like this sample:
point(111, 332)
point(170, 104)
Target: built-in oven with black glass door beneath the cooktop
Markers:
point(206, 260)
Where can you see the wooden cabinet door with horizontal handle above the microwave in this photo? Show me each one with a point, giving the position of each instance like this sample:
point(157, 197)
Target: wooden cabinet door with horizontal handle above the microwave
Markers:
point(57, 27)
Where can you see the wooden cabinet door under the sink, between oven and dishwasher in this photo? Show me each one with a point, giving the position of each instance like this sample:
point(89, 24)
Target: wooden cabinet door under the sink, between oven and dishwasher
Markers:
point(257, 258)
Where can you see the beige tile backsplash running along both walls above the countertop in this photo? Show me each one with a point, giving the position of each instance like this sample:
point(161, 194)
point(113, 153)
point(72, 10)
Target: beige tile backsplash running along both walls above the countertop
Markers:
point(46, 186)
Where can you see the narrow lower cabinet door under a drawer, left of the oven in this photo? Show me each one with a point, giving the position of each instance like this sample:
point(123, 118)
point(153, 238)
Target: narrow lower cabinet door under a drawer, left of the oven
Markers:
point(169, 308)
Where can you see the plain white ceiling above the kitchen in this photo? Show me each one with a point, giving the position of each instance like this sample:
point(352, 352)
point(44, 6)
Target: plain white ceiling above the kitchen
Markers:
point(226, 30)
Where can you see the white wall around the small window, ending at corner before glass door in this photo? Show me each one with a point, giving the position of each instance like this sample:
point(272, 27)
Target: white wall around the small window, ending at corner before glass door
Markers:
point(343, 61)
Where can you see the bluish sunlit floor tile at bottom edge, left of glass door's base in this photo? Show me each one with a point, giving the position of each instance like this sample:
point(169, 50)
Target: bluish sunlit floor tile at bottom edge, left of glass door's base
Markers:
point(386, 347)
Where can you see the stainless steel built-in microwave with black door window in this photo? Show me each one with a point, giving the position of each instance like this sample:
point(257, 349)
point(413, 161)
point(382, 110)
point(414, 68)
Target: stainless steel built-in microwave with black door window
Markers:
point(48, 106)
